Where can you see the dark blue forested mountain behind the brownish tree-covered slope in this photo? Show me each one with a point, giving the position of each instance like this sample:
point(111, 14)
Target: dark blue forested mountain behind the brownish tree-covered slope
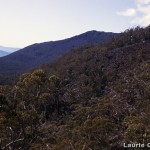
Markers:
point(43, 53)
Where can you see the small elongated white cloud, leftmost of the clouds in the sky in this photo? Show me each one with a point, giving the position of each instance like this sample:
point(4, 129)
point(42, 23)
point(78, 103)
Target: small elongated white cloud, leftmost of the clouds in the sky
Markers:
point(128, 12)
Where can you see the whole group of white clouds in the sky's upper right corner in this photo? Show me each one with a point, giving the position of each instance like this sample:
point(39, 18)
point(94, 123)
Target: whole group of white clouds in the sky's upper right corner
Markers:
point(140, 14)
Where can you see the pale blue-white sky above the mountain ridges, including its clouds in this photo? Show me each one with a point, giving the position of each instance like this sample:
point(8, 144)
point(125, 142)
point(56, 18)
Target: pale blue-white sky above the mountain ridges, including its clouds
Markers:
point(25, 22)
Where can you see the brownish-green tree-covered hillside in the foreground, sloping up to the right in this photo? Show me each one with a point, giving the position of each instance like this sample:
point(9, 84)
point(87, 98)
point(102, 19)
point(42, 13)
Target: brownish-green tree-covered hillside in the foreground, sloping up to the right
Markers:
point(93, 98)
